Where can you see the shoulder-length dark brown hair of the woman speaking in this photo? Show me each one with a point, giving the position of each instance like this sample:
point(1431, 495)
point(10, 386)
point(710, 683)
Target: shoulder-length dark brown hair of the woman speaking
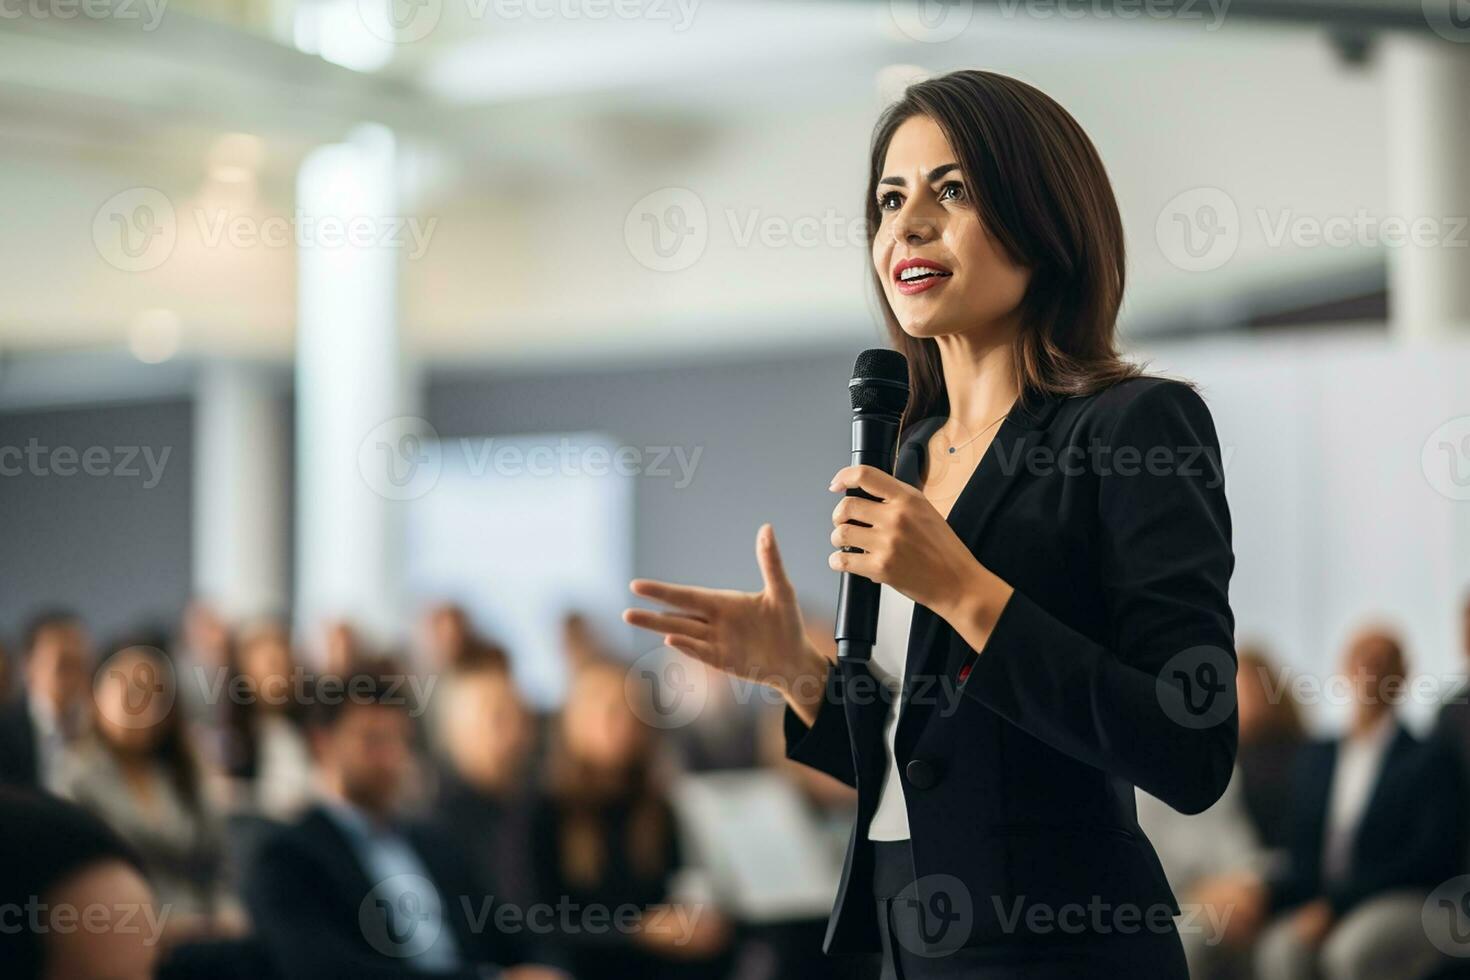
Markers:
point(1044, 196)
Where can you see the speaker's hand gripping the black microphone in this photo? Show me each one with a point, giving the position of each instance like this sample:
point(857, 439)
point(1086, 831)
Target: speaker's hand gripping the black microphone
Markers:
point(908, 544)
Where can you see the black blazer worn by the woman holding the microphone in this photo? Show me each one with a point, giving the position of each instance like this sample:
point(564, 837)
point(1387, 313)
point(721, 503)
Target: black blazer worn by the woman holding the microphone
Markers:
point(1108, 516)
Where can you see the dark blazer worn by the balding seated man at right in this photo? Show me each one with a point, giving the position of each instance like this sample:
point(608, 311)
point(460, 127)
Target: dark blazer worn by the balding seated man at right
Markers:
point(1409, 837)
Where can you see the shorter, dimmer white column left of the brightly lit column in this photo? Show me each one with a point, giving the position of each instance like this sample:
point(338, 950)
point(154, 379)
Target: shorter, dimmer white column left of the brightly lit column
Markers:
point(240, 493)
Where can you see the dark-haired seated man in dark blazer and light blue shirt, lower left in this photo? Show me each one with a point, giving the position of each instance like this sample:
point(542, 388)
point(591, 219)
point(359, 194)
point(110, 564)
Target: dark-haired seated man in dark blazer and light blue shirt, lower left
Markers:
point(348, 891)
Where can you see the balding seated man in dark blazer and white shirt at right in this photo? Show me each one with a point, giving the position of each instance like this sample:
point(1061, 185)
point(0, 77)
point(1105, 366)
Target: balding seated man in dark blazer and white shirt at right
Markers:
point(1377, 826)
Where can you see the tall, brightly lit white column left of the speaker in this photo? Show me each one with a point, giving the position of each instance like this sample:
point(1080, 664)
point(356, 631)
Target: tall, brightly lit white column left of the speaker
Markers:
point(349, 386)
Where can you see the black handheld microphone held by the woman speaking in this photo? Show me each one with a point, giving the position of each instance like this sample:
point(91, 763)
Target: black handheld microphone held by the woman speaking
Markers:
point(880, 390)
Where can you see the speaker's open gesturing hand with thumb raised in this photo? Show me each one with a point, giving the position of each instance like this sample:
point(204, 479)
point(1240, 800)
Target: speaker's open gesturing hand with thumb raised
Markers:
point(752, 635)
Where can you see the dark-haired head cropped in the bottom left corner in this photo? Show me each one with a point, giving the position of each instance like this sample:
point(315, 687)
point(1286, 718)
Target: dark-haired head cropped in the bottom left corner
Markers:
point(76, 903)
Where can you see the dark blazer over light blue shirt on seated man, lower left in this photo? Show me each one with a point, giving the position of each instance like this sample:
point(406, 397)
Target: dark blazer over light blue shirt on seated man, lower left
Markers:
point(305, 891)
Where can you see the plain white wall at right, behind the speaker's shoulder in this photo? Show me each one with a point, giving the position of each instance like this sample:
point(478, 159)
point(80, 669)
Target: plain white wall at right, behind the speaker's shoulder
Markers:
point(1340, 519)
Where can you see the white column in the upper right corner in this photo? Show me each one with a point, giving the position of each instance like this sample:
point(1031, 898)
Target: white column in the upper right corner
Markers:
point(1430, 143)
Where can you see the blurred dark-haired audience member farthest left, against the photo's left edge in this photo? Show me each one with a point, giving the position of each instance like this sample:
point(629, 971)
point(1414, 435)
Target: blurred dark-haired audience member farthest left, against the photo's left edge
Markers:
point(42, 721)
